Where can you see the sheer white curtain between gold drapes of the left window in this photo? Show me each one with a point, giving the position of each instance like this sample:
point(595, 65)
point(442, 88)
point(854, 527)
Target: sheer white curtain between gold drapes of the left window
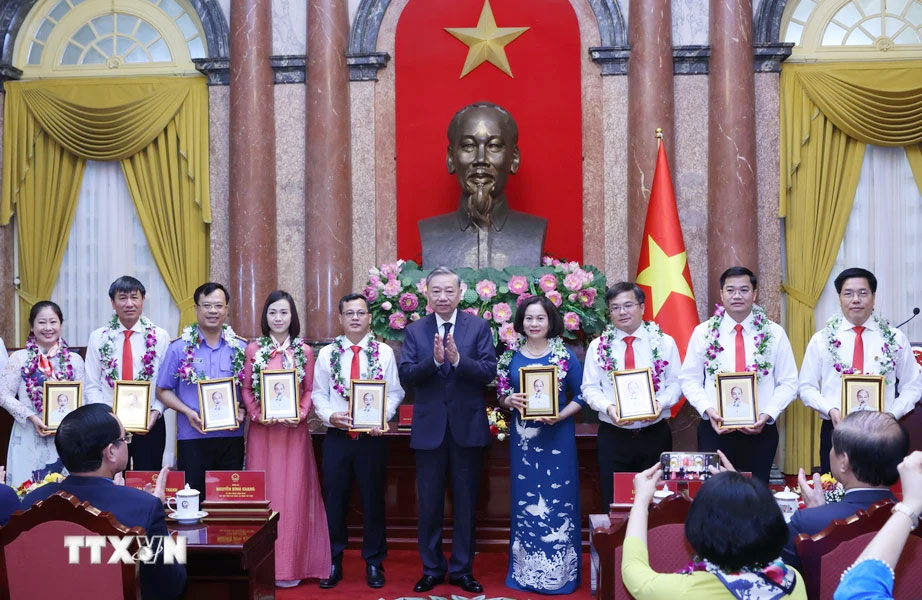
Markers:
point(106, 242)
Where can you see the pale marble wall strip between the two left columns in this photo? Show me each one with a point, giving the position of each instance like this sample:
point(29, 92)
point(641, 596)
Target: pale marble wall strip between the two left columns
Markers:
point(289, 190)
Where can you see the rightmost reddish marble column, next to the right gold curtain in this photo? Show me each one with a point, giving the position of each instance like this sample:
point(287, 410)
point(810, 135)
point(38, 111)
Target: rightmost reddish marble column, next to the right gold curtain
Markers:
point(732, 186)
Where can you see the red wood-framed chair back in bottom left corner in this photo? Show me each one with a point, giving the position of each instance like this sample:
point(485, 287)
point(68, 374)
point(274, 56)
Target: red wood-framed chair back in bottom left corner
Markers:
point(35, 563)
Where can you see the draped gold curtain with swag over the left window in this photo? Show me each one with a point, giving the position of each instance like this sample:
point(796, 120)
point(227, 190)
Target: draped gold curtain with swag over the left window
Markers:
point(52, 123)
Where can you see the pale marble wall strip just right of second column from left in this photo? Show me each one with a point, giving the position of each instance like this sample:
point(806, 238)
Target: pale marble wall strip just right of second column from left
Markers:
point(364, 215)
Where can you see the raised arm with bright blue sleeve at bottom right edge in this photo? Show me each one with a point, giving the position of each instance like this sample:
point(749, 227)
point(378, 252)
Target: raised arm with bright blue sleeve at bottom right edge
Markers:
point(872, 574)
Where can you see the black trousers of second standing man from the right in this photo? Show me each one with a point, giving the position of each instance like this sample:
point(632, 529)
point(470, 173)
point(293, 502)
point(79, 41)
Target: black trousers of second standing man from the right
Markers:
point(753, 453)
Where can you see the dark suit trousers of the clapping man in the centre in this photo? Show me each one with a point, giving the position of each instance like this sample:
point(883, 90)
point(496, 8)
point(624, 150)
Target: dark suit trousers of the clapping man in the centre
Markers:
point(460, 466)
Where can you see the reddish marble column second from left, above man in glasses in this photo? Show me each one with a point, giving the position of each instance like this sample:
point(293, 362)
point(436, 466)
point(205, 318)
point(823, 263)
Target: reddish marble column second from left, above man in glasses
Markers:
point(328, 177)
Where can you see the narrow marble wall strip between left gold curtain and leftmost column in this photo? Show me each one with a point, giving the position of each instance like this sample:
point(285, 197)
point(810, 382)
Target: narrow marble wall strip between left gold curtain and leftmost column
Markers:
point(219, 146)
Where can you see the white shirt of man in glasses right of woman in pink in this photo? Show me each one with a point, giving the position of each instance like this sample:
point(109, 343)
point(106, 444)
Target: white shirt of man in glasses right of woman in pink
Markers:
point(327, 401)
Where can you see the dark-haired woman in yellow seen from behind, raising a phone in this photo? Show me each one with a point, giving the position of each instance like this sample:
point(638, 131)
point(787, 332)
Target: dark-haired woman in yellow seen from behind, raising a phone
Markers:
point(737, 531)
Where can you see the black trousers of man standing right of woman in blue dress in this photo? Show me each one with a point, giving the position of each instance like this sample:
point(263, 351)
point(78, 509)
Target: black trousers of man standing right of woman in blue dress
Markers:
point(629, 450)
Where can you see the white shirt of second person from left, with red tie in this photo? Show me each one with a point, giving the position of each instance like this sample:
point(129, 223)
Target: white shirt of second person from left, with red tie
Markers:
point(97, 389)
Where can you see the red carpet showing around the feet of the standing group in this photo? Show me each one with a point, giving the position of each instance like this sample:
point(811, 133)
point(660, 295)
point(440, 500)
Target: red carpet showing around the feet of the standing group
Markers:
point(403, 570)
